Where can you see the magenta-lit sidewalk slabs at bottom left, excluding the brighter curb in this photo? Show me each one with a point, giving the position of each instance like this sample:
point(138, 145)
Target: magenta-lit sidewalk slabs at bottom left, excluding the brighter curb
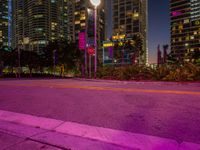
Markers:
point(21, 137)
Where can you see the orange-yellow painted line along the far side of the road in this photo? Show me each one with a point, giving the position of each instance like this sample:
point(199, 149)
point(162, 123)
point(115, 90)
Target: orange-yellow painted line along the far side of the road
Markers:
point(99, 88)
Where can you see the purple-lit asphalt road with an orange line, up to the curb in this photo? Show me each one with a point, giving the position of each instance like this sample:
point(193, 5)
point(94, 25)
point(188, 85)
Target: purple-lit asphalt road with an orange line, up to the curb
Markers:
point(164, 109)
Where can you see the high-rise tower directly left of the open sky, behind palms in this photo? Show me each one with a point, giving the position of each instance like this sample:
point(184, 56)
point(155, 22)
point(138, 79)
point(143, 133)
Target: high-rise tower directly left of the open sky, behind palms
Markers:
point(130, 18)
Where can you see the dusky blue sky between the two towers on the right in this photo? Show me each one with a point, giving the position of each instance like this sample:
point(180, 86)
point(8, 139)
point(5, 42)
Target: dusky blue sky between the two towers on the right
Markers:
point(159, 26)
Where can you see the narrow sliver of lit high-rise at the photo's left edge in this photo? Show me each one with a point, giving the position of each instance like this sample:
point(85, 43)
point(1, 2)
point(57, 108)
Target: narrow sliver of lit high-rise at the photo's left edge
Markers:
point(5, 23)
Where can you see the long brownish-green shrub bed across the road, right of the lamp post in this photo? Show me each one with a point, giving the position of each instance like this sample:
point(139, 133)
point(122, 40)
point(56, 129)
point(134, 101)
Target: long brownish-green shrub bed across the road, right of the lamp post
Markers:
point(186, 72)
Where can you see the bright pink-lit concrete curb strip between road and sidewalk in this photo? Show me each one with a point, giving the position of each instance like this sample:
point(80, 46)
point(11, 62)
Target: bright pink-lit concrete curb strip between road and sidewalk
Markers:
point(117, 137)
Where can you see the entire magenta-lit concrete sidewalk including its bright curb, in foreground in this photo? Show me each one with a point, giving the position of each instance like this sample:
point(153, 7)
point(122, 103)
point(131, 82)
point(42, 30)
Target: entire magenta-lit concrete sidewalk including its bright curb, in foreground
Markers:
point(22, 132)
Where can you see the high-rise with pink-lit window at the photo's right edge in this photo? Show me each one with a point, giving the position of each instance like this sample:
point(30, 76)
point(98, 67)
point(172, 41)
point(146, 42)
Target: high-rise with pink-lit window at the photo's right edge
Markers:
point(185, 28)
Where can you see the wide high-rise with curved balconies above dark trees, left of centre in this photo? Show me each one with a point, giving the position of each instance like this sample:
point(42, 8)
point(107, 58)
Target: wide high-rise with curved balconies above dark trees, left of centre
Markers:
point(36, 22)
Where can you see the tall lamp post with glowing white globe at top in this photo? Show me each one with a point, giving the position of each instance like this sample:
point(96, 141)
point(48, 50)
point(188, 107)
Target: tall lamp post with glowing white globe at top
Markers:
point(95, 3)
